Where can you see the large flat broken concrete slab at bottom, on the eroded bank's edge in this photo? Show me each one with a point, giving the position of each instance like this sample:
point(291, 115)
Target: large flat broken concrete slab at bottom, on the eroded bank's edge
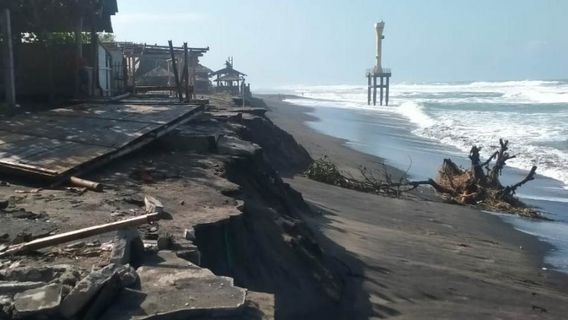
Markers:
point(172, 288)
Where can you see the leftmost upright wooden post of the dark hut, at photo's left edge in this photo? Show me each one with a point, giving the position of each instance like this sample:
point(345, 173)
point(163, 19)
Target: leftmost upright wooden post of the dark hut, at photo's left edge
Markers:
point(9, 72)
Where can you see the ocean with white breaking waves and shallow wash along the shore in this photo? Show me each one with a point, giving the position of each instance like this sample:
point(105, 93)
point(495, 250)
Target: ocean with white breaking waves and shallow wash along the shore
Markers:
point(428, 122)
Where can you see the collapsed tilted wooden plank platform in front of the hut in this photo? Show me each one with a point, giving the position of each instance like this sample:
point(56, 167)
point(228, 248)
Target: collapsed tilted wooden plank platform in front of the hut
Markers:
point(60, 143)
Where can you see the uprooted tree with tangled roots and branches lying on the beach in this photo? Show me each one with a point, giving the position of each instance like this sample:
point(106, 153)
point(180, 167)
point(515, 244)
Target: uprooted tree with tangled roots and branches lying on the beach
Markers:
point(478, 185)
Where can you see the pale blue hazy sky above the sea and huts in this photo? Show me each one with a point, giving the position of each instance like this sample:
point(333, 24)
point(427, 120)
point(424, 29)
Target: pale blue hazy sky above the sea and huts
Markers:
point(322, 42)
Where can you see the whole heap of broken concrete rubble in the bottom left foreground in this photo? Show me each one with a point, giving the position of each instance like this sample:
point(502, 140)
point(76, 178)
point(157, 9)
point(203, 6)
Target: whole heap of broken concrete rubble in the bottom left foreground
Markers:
point(144, 277)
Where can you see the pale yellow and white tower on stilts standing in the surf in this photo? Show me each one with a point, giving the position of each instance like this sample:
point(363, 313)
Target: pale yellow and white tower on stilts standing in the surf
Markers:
point(378, 71)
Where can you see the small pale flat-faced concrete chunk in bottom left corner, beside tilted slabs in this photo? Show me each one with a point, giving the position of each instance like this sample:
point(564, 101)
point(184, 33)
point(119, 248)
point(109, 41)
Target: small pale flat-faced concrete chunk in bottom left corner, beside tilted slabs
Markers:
point(44, 300)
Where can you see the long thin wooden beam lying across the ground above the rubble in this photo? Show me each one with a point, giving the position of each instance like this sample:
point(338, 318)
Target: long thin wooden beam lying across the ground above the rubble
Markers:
point(78, 234)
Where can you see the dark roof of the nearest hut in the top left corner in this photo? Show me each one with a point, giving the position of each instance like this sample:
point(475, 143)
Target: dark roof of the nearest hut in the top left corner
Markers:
point(61, 15)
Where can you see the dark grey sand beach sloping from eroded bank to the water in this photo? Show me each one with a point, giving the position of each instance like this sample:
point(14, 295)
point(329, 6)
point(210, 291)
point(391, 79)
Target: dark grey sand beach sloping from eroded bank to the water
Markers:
point(414, 259)
